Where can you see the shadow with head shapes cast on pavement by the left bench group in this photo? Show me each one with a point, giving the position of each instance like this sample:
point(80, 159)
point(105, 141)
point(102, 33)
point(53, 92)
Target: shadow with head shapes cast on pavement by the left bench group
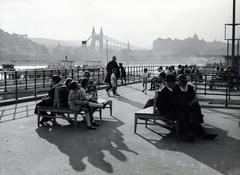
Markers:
point(81, 143)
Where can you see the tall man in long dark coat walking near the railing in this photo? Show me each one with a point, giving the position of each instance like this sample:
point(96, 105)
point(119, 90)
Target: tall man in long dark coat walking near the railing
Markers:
point(110, 66)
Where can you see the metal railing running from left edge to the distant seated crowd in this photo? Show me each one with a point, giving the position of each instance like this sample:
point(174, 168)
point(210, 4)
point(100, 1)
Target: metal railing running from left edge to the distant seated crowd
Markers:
point(20, 84)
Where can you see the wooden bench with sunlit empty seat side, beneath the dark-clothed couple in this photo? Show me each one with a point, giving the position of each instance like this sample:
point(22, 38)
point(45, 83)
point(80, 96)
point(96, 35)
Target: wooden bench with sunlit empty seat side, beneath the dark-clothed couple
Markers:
point(151, 113)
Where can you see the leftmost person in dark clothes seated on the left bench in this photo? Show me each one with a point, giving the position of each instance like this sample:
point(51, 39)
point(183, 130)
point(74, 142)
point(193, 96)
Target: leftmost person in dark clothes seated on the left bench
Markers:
point(48, 100)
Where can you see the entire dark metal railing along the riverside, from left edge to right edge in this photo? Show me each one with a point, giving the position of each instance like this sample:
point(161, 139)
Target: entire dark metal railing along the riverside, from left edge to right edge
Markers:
point(15, 85)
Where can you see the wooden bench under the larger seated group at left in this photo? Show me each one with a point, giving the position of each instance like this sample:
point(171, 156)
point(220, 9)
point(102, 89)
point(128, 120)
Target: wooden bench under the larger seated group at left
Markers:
point(60, 111)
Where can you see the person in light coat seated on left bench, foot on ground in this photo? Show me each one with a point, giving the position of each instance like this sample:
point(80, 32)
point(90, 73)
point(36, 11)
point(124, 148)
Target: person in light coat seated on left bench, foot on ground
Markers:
point(76, 102)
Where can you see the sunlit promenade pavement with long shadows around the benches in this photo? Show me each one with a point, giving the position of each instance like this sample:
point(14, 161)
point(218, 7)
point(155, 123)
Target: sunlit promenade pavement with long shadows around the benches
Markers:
point(113, 148)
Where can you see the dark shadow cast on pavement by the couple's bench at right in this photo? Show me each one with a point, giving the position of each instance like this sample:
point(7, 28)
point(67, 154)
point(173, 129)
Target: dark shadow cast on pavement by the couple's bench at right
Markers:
point(221, 154)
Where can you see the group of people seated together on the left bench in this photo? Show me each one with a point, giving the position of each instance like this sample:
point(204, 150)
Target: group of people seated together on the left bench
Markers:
point(78, 96)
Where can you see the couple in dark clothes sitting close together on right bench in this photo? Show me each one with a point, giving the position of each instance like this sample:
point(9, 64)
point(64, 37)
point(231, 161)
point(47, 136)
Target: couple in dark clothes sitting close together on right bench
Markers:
point(178, 102)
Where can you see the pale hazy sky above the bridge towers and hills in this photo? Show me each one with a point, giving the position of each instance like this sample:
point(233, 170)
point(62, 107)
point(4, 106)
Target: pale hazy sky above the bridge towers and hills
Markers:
point(137, 21)
